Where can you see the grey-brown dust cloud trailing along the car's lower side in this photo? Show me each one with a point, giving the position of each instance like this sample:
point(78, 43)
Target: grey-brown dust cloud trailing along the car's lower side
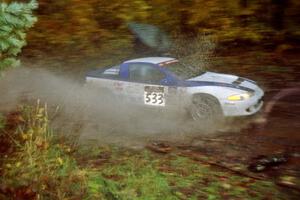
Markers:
point(91, 113)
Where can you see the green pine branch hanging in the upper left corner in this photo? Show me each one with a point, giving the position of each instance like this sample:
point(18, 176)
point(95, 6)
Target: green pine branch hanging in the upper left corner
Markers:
point(15, 20)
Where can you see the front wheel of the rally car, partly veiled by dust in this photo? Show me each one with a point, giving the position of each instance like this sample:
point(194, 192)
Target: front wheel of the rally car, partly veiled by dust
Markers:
point(205, 108)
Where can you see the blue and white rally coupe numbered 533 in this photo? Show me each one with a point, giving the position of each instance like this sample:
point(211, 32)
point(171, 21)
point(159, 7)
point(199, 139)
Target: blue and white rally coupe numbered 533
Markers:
point(167, 83)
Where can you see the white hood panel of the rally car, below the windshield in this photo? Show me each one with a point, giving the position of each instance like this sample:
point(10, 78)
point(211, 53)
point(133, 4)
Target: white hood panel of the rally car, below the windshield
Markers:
point(215, 77)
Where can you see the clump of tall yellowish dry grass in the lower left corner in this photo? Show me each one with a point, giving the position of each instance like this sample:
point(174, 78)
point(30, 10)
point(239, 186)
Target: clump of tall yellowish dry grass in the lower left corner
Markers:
point(38, 166)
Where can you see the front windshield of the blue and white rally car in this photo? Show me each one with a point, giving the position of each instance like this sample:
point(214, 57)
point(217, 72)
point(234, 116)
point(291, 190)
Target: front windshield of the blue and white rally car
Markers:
point(182, 70)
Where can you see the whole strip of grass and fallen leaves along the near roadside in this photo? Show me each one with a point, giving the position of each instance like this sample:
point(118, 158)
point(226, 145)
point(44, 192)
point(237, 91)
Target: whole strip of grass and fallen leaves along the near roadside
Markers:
point(37, 164)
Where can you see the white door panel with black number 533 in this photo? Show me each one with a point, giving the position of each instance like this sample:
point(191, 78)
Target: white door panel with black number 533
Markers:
point(154, 96)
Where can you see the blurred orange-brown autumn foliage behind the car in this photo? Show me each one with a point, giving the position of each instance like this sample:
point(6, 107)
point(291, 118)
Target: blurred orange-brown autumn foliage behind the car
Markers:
point(95, 26)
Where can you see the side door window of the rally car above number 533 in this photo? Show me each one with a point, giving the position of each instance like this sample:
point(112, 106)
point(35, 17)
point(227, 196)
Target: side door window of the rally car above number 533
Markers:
point(145, 73)
